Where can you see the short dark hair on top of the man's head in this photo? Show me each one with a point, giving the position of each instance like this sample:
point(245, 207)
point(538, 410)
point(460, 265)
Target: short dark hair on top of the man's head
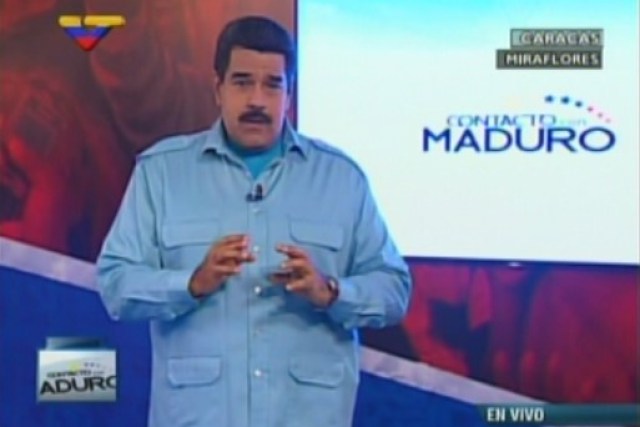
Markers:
point(255, 33)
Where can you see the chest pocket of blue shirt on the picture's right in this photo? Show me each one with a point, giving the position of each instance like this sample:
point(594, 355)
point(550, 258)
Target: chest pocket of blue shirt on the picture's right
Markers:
point(323, 242)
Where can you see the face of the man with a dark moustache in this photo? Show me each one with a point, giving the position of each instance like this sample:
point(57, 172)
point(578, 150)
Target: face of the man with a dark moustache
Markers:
point(253, 97)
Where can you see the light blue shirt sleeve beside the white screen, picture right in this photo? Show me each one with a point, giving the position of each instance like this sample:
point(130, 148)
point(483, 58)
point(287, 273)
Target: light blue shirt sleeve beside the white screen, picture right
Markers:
point(377, 289)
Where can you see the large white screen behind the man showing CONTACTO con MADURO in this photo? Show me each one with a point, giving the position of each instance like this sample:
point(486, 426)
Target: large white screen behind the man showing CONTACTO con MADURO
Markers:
point(470, 161)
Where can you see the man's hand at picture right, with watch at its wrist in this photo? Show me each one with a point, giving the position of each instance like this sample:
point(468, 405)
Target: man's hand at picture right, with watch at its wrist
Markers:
point(300, 276)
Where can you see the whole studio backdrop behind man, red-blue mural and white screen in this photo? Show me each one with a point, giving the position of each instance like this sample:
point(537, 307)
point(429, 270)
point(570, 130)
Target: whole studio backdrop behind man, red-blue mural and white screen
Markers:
point(506, 169)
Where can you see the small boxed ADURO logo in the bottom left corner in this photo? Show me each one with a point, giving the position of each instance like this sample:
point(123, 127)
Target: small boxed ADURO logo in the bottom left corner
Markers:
point(76, 370)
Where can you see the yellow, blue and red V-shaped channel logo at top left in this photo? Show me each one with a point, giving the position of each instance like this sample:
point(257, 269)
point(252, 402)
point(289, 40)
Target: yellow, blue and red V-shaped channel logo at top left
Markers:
point(88, 30)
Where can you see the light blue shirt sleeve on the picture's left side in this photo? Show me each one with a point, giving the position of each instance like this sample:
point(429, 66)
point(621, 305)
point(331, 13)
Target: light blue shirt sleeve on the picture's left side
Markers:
point(131, 281)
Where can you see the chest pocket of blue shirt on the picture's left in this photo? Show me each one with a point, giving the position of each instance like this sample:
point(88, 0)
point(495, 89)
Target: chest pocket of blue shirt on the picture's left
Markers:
point(185, 244)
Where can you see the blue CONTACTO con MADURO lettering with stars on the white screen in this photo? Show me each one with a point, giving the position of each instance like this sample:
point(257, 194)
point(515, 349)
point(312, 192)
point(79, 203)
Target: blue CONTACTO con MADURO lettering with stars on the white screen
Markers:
point(561, 124)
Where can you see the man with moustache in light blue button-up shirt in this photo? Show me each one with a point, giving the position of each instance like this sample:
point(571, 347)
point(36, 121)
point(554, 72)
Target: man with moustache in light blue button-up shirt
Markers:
point(257, 328)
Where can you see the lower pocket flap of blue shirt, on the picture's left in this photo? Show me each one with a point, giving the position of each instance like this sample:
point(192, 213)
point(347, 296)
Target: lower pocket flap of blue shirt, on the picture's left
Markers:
point(190, 371)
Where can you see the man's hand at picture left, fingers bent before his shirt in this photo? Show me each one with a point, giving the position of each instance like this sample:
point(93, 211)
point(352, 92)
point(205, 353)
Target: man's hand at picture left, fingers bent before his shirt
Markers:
point(223, 260)
